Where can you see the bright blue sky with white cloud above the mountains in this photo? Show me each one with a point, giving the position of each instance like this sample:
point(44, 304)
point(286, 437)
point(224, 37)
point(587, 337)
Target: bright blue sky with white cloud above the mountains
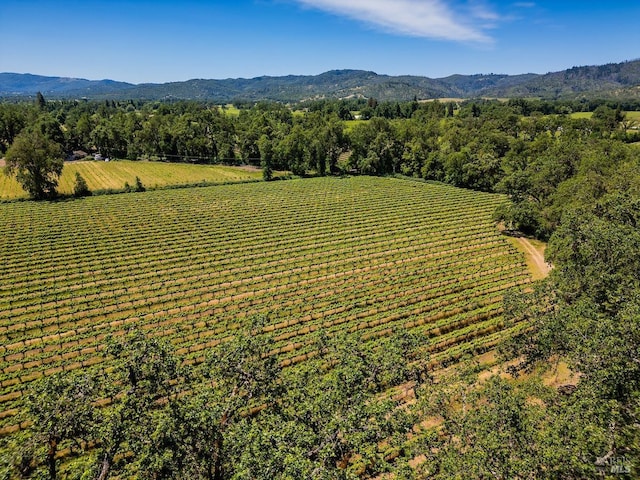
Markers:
point(161, 41)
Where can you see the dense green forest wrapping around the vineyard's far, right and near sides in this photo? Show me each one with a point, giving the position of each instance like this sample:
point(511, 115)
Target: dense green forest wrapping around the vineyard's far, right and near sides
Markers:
point(573, 181)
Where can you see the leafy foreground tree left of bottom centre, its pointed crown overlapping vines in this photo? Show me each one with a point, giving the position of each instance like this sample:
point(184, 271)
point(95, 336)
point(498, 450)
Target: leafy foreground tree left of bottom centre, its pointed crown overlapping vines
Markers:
point(194, 435)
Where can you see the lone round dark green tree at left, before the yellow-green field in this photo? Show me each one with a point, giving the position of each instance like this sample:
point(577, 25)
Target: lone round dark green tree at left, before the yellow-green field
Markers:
point(36, 162)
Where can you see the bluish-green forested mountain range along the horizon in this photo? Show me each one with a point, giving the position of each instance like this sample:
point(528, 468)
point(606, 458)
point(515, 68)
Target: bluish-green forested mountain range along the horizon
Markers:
point(614, 80)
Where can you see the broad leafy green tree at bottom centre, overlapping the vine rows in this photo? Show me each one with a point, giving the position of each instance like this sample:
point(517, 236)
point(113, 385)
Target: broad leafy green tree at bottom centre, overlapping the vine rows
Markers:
point(335, 422)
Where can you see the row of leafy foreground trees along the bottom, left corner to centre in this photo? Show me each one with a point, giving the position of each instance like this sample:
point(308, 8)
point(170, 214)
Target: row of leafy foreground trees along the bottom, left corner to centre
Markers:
point(237, 416)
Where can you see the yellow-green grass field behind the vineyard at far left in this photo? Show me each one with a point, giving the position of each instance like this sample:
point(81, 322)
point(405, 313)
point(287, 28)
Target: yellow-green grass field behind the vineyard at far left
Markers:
point(113, 175)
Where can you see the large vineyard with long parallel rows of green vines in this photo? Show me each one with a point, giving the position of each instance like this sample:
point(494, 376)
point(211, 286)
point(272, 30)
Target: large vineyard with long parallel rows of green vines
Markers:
point(375, 255)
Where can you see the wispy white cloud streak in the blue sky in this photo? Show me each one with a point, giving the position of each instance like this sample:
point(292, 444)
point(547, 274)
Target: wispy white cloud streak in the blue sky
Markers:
point(439, 19)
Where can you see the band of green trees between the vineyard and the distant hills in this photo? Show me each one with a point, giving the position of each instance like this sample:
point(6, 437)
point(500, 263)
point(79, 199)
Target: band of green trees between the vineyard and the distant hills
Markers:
point(483, 145)
